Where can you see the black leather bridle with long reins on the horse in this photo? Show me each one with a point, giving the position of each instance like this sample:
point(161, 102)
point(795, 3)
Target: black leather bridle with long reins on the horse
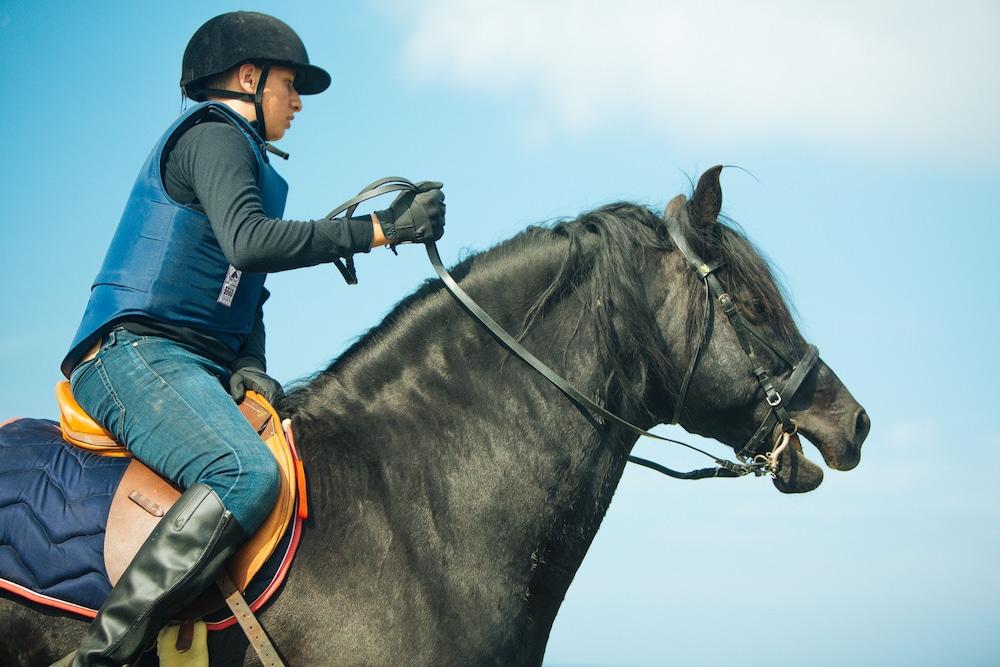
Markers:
point(753, 456)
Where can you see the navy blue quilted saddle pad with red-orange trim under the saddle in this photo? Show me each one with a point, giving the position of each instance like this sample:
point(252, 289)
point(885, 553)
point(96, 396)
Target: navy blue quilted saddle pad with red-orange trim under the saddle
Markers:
point(54, 505)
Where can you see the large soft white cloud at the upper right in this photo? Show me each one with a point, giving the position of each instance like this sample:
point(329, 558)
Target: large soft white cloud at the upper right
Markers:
point(915, 79)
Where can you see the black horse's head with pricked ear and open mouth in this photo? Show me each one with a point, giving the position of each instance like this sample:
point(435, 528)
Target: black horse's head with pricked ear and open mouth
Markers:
point(730, 357)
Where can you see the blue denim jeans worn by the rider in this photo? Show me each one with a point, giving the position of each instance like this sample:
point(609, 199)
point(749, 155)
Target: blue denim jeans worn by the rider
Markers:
point(169, 407)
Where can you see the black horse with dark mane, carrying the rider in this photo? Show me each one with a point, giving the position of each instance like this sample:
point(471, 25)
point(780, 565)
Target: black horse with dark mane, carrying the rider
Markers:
point(454, 492)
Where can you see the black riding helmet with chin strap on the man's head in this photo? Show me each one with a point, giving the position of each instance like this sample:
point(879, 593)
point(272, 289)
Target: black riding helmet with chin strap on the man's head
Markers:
point(235, 38)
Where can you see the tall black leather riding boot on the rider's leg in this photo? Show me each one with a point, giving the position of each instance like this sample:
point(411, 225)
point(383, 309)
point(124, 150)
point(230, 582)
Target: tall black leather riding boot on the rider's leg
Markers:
point(181, 558)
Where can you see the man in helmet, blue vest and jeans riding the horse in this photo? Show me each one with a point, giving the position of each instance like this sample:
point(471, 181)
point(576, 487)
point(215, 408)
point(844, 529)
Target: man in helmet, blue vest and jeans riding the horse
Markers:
point(173, 333)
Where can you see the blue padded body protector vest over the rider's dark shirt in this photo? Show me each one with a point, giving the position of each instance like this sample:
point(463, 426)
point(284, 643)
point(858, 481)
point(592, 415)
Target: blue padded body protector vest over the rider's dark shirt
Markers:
point(165, 263)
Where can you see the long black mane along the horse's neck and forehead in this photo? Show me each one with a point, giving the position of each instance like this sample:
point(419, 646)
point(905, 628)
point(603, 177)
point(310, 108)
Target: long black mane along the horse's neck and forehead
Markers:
point(607, 251)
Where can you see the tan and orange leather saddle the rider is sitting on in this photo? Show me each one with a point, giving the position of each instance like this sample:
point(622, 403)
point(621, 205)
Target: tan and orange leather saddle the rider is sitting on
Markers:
point(143, 496)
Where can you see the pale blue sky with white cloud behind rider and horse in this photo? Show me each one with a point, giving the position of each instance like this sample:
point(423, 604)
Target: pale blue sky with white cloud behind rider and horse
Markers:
point(872, 135)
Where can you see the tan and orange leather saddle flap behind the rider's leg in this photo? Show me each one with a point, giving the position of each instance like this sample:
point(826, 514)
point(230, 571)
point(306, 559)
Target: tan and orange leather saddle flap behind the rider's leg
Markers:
point(143, 497)
